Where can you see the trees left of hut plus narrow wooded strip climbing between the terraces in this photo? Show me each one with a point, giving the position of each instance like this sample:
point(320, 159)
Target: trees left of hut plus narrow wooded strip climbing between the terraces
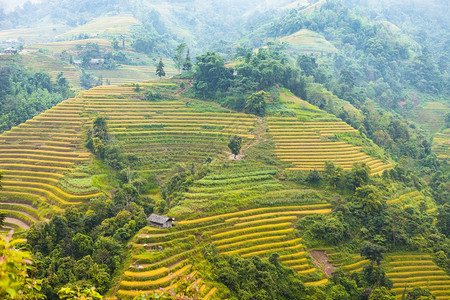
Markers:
point(85, 247)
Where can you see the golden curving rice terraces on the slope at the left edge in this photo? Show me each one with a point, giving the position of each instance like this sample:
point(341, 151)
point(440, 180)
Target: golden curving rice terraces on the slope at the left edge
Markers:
point(33, 158)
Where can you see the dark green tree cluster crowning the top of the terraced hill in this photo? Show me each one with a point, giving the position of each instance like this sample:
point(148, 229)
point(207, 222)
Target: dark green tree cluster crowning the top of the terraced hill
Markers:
point(243, 88)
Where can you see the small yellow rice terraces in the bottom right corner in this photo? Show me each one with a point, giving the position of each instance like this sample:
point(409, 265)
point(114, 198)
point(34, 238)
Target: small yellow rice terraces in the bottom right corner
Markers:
point(412, 270)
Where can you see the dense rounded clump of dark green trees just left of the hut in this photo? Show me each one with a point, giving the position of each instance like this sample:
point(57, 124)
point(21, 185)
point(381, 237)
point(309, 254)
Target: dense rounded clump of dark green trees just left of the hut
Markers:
point(84, 248)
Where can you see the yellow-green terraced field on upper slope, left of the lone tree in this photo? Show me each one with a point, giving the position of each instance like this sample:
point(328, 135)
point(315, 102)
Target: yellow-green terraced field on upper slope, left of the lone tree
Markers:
point(164, 132)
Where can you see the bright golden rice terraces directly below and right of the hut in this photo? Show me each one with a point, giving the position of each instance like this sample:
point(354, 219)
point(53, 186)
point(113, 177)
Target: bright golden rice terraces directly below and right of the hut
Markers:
point(256, 232)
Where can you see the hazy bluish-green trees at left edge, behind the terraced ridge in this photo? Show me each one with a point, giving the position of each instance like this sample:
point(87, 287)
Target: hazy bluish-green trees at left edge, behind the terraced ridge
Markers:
point(23, 95)
